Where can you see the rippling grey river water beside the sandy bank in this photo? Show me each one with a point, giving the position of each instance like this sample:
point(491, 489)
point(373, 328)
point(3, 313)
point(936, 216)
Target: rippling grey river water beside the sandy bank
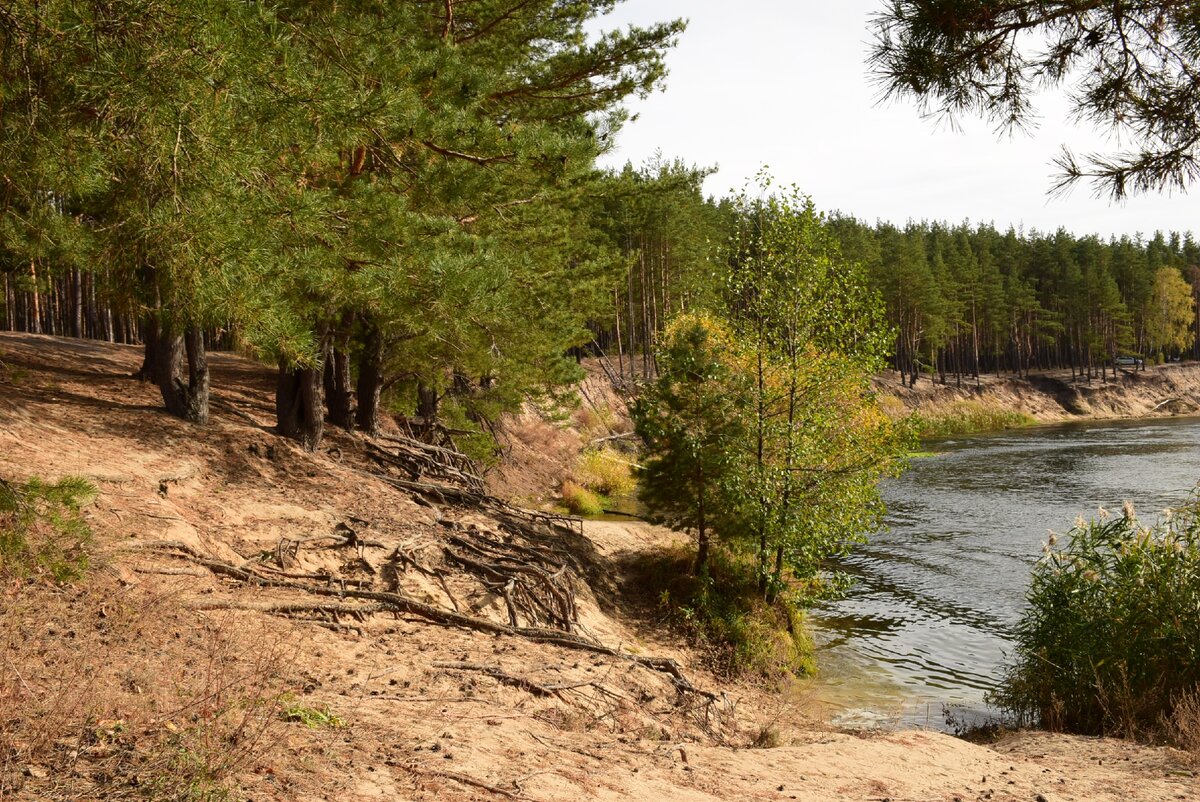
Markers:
point(927, 626)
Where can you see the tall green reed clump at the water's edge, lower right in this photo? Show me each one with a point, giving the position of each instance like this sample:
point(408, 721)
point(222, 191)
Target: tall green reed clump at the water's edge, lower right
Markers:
point(1111, 644)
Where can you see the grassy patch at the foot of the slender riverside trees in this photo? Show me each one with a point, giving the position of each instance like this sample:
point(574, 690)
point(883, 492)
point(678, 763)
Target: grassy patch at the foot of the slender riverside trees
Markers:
point(724, 614)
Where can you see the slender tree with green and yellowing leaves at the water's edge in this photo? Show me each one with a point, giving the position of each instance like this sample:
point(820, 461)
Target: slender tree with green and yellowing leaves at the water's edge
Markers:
point(812, 332)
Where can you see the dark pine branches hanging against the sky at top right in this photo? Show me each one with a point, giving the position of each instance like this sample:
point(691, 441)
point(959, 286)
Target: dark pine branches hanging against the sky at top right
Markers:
point(1131, 68)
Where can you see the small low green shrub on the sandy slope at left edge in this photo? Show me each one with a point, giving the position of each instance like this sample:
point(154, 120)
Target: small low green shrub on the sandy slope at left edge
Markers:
point(43, 531)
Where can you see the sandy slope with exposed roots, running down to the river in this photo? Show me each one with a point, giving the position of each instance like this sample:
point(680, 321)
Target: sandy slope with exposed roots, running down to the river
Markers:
point(416, 728)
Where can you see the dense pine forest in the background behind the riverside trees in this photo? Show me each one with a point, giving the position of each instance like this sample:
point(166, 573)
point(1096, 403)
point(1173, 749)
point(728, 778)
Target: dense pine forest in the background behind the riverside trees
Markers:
point(963, 300)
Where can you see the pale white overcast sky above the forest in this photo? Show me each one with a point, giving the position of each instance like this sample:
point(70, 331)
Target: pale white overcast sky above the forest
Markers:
point(784, 85)
